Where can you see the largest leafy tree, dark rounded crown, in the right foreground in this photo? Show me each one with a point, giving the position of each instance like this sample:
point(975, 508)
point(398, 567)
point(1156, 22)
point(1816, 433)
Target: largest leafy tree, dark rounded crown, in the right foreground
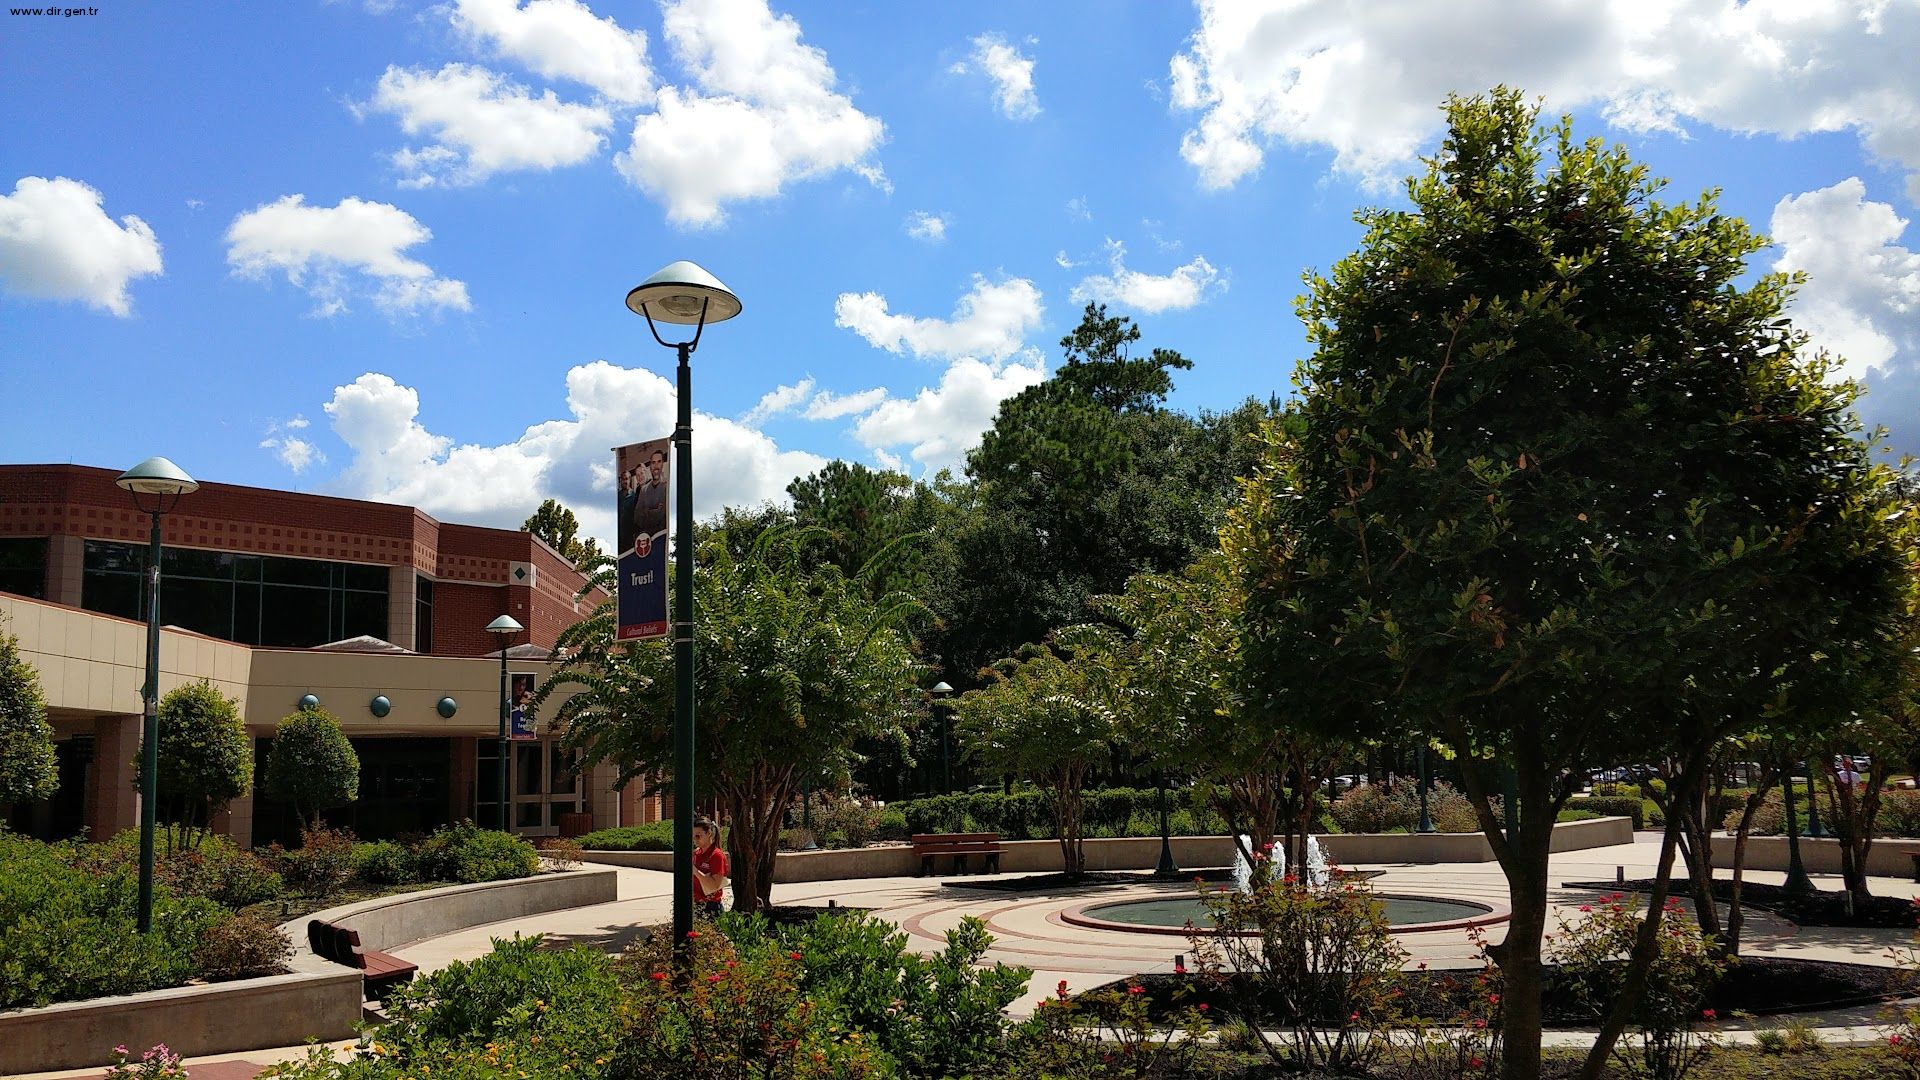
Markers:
point(1548, 451)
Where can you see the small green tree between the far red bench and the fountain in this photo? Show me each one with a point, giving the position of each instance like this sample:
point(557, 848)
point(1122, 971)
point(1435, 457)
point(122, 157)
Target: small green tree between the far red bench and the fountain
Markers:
point(1051, 722)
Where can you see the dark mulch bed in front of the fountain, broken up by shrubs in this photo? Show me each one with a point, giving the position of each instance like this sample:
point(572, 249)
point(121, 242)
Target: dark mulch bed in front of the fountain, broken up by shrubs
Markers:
point(1756, 985)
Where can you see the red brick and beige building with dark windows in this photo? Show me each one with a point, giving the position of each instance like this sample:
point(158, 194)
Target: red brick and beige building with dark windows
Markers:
point(377, 610)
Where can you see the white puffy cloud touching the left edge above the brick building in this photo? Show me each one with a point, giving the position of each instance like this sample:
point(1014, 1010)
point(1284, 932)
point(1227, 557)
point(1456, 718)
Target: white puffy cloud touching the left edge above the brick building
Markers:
point(57, 243)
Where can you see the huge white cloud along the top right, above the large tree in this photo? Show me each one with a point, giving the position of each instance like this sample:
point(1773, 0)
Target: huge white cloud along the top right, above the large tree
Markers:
point(1366, 82)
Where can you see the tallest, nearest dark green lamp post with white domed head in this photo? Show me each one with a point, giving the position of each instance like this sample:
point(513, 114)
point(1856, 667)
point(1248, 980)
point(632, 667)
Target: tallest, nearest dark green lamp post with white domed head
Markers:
point(690, 297)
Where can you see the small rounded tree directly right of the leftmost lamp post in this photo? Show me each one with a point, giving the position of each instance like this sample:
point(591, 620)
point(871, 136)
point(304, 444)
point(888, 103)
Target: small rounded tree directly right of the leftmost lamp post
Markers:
point(206, 758)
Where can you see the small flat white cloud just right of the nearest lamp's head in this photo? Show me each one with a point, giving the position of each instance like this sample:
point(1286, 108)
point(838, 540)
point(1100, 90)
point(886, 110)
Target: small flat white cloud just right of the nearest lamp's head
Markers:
point(990, 322)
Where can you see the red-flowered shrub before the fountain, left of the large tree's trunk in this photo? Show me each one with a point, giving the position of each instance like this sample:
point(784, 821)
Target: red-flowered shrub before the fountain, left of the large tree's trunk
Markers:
point(1316, 960)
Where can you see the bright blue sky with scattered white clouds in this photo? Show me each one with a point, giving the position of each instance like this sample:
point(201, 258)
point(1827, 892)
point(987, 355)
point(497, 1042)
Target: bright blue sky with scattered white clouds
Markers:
point(379, 249)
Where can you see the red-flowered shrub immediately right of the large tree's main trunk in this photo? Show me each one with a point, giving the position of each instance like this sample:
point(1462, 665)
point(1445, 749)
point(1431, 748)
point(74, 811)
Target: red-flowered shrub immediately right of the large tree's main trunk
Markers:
point(1673, 1025)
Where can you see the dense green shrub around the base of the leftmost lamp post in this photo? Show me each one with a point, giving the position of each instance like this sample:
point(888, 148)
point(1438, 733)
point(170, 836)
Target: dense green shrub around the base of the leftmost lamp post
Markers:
point(68, 933)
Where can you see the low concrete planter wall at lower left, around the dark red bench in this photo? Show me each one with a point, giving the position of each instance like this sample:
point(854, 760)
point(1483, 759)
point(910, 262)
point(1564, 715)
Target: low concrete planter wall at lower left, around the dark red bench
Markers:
point(318, 1000)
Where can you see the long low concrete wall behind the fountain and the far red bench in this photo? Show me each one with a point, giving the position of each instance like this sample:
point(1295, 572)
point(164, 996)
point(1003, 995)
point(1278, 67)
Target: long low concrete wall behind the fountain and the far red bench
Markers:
point(1143, 852)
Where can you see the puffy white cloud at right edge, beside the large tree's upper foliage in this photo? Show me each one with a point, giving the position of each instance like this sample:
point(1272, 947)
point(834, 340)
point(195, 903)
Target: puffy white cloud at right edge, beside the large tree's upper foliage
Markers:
point(1861, 299)
